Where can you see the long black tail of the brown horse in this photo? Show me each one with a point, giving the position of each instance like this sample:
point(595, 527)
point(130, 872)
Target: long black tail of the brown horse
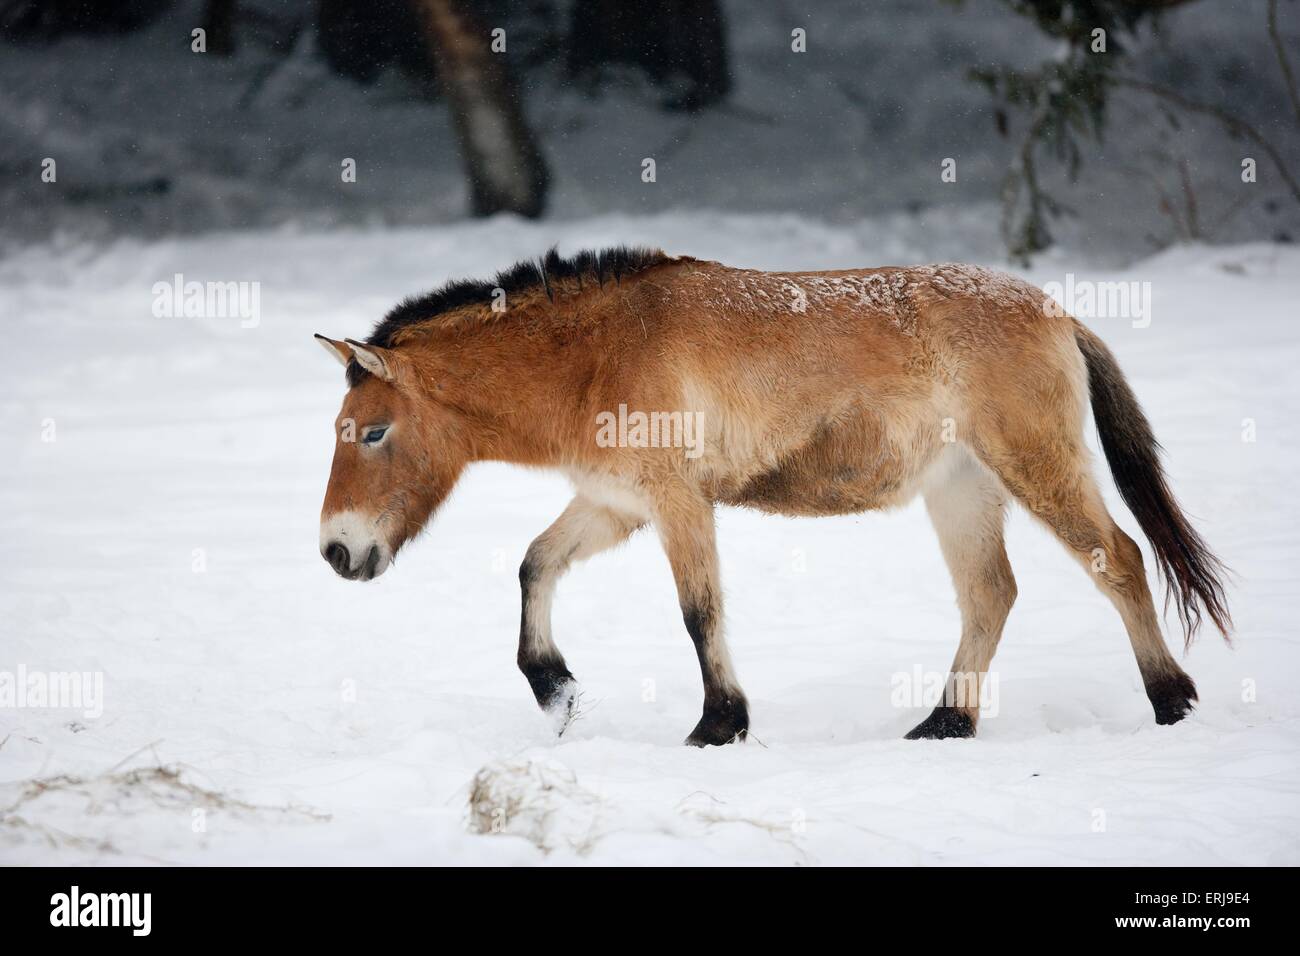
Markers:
point(1193, 576)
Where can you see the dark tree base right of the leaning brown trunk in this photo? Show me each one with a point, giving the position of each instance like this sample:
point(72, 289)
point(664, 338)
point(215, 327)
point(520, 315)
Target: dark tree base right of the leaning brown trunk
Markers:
point(681, 45)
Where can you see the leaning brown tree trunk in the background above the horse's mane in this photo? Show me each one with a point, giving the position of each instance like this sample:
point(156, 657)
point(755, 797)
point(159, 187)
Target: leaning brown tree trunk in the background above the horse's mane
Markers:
point(505, 167)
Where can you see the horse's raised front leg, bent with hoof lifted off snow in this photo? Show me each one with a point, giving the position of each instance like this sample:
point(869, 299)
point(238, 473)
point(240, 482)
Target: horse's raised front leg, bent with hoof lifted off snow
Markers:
point(583, 530)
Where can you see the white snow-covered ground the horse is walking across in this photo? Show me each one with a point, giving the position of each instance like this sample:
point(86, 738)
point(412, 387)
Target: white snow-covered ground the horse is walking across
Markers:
point(159, 503)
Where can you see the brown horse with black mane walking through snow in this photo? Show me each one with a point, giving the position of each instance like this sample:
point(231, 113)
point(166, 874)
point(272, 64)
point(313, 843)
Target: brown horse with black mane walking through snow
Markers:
point(664, 387)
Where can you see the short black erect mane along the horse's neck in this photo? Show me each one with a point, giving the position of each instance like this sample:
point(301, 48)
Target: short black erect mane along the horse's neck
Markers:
point(609, 265)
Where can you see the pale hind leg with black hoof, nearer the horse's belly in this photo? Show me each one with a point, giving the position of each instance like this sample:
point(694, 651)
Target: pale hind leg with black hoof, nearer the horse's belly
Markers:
point(968, 508)
